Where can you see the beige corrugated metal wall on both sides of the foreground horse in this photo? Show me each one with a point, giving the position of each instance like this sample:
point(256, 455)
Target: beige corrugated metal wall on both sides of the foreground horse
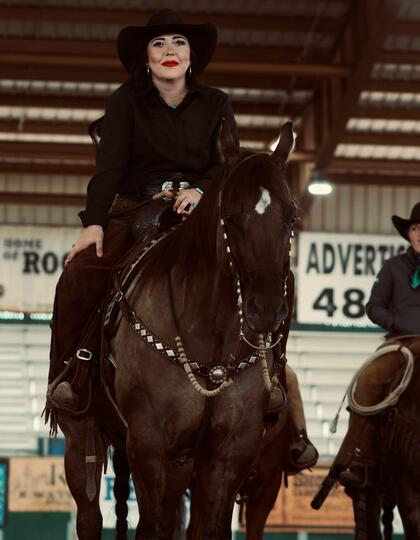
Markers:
point(359, 209)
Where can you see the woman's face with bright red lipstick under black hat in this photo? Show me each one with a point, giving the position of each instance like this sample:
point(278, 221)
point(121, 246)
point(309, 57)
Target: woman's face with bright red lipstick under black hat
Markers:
point(169, 56)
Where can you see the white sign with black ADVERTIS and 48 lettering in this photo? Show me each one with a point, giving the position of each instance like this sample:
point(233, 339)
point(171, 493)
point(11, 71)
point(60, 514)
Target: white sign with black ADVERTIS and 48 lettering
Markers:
point(335, 274)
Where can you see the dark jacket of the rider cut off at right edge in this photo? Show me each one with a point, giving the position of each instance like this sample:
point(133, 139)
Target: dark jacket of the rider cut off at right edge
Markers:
point(393, 303)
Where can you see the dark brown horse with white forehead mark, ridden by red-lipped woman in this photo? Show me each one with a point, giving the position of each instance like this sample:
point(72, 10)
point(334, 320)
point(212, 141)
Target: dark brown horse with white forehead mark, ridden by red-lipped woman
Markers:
point(240, 233)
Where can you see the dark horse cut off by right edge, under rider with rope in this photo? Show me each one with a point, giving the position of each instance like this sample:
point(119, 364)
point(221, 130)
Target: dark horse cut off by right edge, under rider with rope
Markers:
point(397, 483)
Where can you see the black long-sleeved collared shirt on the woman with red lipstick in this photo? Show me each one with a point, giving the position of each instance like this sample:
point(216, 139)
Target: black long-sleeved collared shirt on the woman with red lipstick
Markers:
point(144, 141)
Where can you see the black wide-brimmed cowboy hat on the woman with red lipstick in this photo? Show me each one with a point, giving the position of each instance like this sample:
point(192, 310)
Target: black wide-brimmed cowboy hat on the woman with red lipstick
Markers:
point(133, 40)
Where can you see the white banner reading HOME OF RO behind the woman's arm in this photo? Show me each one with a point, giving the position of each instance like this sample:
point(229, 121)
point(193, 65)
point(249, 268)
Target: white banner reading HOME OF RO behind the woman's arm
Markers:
point(31, 261)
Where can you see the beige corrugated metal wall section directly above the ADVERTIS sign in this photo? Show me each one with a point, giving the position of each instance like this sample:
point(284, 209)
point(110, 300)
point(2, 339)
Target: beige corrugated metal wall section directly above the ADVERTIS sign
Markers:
point(361, 209)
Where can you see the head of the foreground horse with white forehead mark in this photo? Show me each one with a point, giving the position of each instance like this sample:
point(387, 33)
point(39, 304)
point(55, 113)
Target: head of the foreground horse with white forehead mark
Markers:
point(258, 213)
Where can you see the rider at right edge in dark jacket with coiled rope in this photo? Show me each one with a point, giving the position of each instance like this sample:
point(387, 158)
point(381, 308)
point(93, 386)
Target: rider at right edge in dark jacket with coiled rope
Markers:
point(394, 304)
